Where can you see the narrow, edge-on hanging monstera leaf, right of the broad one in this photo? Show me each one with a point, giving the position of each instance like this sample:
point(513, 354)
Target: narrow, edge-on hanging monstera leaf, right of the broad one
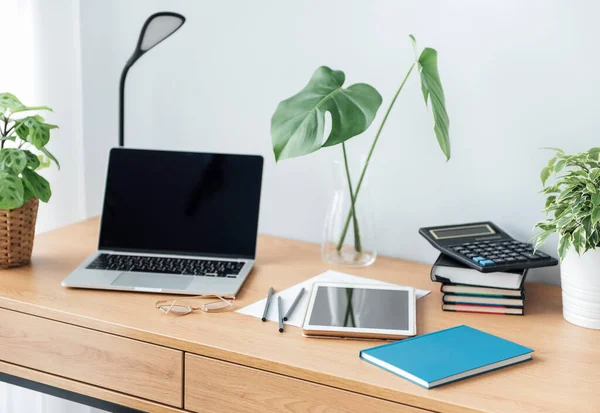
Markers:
point(431, 86)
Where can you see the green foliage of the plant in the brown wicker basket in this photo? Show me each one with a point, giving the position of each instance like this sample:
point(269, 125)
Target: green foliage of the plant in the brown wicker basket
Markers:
point(20, 137)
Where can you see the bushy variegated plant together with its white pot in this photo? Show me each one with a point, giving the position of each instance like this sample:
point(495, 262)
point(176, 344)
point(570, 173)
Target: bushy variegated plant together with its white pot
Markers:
point(573, 213)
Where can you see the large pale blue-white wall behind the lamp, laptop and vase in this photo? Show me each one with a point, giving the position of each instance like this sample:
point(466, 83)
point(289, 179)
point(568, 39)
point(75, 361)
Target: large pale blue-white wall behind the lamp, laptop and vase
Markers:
point(518, 76)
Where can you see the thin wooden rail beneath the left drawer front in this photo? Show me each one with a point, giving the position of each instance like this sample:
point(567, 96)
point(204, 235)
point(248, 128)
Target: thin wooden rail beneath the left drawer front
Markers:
point(86, 389)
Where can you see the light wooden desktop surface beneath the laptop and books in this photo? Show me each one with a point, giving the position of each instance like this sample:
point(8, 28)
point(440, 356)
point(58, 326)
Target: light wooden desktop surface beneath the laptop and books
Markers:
point(564, 375)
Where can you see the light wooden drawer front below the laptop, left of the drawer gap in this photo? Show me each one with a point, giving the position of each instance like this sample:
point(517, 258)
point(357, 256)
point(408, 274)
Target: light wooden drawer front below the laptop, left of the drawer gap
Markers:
point(121, 364)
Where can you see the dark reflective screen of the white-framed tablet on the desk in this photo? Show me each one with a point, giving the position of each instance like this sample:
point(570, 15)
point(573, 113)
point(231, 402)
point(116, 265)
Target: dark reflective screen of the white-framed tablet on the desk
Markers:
point(360, 308)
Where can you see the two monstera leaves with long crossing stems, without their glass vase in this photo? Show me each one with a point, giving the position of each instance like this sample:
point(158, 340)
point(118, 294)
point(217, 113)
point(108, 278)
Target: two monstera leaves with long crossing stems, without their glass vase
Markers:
point(297, 126)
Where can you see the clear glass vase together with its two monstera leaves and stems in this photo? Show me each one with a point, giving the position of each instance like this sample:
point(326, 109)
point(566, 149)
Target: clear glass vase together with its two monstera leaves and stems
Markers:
point(297, 128)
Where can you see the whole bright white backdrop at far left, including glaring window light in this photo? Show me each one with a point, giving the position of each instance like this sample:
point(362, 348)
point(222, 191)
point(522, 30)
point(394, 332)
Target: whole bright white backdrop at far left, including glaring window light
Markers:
point(42, 39)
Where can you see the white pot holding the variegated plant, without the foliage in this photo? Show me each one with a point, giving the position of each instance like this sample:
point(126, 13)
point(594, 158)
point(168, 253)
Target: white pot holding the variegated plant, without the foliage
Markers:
point(580, 280)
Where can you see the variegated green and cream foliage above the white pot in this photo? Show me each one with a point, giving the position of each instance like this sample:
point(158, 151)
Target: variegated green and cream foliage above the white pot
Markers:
point(572, 202)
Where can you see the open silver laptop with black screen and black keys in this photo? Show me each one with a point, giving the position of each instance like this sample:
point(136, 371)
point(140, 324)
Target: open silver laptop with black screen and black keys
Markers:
point(175, 222)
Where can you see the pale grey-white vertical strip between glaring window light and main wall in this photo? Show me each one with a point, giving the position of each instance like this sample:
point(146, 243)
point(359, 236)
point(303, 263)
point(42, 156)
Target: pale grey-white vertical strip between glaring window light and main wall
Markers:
point(57, 83)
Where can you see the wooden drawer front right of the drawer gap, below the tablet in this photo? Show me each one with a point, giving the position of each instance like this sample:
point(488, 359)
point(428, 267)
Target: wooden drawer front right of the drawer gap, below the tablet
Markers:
point(216, 386)
